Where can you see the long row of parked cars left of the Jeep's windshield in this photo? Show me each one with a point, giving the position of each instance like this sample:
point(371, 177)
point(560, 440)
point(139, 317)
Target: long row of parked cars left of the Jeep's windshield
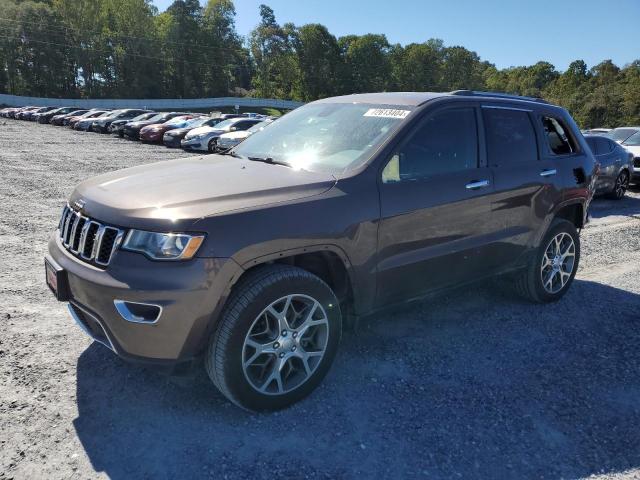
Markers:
point(190, 131)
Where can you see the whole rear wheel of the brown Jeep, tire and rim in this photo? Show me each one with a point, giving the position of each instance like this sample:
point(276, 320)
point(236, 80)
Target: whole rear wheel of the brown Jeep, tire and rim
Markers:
point(553, 266)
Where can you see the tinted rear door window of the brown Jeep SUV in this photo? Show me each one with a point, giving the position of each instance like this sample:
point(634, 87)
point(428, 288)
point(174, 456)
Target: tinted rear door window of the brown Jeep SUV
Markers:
point(510, 136)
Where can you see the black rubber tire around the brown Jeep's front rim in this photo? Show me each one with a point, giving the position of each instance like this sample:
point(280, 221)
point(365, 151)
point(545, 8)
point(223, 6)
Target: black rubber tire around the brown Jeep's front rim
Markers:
point(224, 356)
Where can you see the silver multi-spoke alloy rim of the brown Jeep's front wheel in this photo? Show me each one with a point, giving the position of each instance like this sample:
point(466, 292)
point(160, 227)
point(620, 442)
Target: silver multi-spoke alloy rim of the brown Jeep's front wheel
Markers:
point(285, 344)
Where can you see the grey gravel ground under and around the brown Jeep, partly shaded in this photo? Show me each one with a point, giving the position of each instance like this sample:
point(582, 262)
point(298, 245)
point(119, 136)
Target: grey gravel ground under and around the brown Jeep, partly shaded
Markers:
point(476, 384)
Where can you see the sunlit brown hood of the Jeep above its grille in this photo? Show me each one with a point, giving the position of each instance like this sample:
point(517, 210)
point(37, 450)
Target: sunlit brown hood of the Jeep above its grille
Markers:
point(173, 194)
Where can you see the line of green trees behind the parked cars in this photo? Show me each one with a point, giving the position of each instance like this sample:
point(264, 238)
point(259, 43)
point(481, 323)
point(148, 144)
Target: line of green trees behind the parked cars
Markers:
point(128, 49)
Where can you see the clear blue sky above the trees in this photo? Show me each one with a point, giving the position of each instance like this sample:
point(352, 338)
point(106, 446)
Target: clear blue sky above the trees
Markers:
point(504, 32)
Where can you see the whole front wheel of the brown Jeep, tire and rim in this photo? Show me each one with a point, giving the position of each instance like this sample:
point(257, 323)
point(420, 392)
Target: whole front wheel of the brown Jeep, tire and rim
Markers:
point(276, 340)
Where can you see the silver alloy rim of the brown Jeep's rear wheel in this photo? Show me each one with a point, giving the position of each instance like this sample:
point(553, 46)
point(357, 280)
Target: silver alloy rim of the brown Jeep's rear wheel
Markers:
point(558, 262)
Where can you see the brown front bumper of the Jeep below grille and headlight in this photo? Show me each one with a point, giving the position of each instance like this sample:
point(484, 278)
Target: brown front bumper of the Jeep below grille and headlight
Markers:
point(190, 293)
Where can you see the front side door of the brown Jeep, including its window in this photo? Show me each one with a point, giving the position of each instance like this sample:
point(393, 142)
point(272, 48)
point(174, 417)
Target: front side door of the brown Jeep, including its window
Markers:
point(435, 211)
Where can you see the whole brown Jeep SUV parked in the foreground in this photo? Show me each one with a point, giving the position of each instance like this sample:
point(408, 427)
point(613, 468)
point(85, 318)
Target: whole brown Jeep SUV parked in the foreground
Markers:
point(257, 259)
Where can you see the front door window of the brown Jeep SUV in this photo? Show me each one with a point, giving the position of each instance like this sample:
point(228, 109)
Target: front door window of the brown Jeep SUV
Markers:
point(446, 142)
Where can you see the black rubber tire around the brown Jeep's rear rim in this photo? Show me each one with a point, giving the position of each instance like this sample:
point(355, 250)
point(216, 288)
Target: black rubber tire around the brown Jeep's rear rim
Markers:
point(529, 282)
